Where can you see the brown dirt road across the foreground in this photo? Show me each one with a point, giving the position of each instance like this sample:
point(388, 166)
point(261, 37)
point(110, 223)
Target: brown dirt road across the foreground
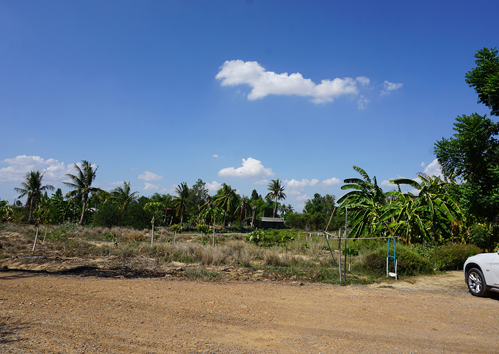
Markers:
point(72, 314)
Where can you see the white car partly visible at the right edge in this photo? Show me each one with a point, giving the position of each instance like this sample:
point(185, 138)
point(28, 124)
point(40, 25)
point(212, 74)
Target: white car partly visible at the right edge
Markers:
point(481, 273)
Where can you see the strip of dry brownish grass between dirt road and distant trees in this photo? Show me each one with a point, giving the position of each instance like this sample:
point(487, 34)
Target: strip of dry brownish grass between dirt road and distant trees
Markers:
point(231, 250)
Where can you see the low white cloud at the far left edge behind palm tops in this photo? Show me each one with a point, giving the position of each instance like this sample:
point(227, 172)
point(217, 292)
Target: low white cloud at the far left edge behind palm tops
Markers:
point(17, 167)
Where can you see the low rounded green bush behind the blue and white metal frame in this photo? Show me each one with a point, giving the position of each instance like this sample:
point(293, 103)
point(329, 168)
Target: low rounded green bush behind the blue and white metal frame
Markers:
point(408, 262)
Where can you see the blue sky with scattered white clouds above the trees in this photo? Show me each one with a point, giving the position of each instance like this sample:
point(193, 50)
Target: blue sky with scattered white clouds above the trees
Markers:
point(242, 92)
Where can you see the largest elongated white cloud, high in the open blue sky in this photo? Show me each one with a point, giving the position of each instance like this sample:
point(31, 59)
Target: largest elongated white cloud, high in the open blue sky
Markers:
point(263, 83)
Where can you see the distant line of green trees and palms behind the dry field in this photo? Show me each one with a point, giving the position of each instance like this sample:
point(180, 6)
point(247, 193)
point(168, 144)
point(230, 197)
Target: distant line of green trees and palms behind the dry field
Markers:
point(188, 207)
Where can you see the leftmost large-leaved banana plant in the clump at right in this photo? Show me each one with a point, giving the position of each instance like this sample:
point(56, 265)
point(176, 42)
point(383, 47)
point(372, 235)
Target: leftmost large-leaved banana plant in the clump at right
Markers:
point(368, 203)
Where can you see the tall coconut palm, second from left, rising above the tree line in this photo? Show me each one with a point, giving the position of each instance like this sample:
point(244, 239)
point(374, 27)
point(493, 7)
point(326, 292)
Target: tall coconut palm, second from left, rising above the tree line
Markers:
point(82, 185)
